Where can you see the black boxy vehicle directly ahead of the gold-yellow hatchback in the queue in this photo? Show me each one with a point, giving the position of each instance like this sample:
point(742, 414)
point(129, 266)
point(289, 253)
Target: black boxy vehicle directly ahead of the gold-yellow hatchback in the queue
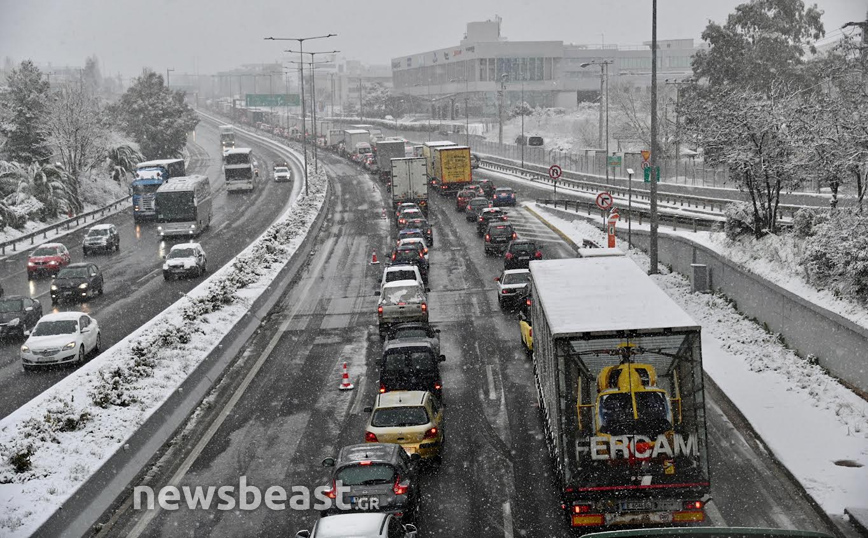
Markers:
point(411, 366)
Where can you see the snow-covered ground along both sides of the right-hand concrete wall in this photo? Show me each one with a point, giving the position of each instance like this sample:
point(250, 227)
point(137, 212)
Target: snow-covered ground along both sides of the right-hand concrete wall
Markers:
point(816, 427)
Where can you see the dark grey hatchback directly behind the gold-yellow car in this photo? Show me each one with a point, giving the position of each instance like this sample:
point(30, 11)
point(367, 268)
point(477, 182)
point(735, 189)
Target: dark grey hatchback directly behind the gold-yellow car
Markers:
point(374, 471)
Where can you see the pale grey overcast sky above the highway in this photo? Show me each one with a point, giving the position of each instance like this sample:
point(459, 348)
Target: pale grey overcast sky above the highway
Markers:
point(212, 35)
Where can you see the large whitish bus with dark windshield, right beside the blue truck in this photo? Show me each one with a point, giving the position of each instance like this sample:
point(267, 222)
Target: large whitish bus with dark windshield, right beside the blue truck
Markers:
point(183, 206)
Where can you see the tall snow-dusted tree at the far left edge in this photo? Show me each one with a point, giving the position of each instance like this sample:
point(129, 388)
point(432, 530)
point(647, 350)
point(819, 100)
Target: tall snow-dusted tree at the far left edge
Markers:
point(21, 111)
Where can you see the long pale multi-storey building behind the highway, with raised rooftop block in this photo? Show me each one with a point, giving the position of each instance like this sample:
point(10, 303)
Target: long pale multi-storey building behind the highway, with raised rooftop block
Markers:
point(549, 73)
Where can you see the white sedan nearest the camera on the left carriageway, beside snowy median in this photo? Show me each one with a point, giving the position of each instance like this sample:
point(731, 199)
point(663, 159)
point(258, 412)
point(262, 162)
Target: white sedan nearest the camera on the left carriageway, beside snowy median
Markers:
point(61, 338)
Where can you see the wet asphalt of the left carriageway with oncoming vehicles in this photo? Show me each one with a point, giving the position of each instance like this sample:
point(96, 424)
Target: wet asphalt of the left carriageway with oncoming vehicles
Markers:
point(134, 287)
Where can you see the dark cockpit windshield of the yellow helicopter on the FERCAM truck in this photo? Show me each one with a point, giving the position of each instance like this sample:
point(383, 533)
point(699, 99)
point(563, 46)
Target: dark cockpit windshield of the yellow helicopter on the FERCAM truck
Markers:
point(617, 414)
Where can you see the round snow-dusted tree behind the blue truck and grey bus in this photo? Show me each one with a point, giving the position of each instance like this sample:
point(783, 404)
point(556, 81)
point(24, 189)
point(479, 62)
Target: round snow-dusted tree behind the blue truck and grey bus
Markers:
point(156, 117)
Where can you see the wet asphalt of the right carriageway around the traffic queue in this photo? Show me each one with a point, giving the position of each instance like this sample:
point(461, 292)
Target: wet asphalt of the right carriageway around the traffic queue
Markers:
point(495, 479)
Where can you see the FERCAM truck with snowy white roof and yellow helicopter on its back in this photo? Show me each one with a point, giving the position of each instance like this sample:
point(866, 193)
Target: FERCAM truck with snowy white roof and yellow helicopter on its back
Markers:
point(618, 371)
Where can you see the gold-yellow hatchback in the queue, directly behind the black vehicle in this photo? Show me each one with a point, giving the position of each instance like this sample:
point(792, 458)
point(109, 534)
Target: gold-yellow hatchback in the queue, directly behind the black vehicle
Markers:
point(410, 418)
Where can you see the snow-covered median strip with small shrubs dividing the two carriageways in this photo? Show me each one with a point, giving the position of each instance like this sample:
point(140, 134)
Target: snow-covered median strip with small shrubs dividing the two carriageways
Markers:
point(53, 444)
